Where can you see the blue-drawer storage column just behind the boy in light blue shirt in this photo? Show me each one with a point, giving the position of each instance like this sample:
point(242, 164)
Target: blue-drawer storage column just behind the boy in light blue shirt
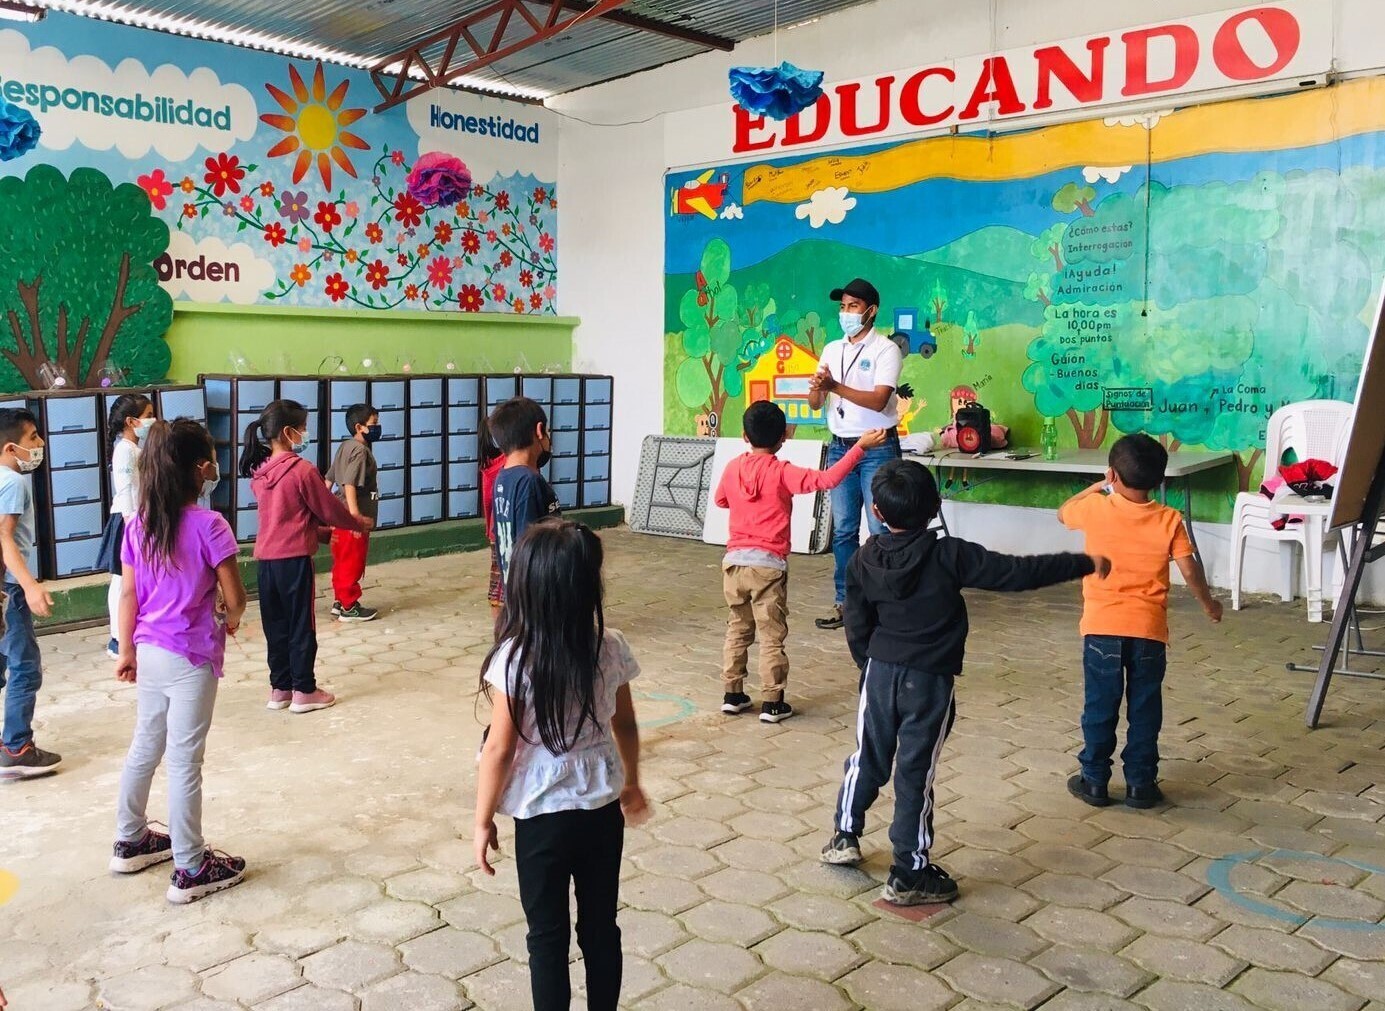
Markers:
point(70, 488)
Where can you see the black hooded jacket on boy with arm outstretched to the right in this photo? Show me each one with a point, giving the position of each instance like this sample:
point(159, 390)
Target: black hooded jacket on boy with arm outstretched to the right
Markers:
point(904, 595)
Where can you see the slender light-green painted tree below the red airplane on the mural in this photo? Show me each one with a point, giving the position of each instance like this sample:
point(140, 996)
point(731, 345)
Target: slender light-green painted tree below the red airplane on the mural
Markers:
point(713, 337)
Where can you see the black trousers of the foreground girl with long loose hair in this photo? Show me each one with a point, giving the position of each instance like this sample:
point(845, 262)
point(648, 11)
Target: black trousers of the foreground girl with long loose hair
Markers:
point(580, 850)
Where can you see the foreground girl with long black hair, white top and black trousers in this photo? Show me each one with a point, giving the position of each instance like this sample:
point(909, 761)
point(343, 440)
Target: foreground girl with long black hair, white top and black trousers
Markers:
point(562, 757)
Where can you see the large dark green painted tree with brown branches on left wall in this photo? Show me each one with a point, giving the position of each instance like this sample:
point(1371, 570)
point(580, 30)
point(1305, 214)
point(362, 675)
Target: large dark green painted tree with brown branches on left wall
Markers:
point(77, 279)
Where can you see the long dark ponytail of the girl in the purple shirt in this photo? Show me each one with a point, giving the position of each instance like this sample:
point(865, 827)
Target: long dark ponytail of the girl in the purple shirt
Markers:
point(170, 483)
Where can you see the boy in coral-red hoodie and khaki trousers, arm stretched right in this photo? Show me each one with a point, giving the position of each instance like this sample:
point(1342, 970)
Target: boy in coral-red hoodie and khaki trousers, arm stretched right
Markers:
point(758, 488)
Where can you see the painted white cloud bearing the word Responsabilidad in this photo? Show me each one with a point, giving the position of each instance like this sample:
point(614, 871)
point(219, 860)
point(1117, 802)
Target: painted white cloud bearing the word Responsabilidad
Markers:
point(81, 100)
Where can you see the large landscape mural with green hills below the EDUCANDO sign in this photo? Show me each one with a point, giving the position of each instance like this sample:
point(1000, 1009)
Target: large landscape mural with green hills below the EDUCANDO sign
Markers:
point(1183, 274)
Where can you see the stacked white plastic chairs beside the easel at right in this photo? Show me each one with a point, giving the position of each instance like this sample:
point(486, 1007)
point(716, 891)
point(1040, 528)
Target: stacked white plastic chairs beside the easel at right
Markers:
point(1315, 430)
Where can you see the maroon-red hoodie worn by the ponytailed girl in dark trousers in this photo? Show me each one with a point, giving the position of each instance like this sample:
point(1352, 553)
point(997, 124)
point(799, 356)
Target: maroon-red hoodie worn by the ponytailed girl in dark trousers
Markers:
point(294, 503)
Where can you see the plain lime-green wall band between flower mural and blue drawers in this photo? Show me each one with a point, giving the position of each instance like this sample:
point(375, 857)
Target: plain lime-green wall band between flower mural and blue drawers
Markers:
point(292, 341)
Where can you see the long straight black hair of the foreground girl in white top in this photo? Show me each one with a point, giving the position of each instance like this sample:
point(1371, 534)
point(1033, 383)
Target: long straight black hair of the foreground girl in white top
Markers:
point(553, 625)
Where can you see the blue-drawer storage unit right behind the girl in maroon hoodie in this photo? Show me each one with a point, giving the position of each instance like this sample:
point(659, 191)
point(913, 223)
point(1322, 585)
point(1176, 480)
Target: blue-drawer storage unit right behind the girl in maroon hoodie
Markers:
point(233, 402)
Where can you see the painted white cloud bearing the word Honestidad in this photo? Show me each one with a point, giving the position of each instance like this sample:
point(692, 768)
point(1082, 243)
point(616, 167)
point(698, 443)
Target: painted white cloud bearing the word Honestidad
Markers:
point(492, 136)
